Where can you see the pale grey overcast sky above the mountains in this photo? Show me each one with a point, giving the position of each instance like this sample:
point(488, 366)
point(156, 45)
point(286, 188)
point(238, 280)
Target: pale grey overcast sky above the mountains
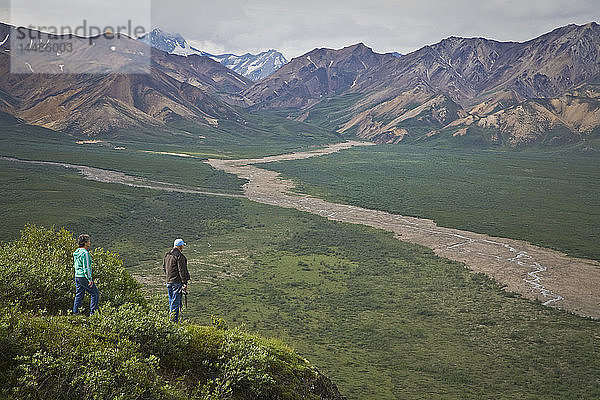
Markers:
point(297, 26)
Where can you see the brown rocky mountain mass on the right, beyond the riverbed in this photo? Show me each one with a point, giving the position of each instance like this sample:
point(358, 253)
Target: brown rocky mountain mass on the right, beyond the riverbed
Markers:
point(508, 88)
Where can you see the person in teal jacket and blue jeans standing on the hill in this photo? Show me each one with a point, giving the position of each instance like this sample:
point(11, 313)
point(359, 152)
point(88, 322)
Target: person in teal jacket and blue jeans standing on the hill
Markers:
point(82, 262)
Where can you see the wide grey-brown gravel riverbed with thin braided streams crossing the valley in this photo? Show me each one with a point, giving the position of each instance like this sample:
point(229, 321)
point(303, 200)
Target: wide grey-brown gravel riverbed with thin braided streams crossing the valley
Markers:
point(537, 273)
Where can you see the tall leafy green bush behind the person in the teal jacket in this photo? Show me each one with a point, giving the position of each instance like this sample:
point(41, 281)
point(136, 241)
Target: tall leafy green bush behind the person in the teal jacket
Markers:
point(36, 272)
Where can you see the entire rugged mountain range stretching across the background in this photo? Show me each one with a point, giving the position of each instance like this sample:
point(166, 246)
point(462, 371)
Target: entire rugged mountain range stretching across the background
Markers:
point(460, 90)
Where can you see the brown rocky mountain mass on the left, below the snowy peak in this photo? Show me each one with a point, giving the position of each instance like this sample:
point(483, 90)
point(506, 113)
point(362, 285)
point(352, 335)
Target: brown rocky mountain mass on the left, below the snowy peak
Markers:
point(107, 93)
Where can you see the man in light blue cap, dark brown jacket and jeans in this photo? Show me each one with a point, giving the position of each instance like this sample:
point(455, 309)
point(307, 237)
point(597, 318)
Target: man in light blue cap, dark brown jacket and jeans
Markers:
point(175, 267)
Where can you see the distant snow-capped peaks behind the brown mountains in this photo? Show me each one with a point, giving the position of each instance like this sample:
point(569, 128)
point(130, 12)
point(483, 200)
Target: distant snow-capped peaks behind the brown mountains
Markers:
point(253, 66)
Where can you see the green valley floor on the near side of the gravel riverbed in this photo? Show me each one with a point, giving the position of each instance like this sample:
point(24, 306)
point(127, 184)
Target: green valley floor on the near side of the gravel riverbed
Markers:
point(382, 318)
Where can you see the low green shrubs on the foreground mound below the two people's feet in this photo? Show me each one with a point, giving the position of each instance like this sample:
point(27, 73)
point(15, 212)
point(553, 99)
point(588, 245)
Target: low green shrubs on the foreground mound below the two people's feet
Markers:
point(130, 352)
